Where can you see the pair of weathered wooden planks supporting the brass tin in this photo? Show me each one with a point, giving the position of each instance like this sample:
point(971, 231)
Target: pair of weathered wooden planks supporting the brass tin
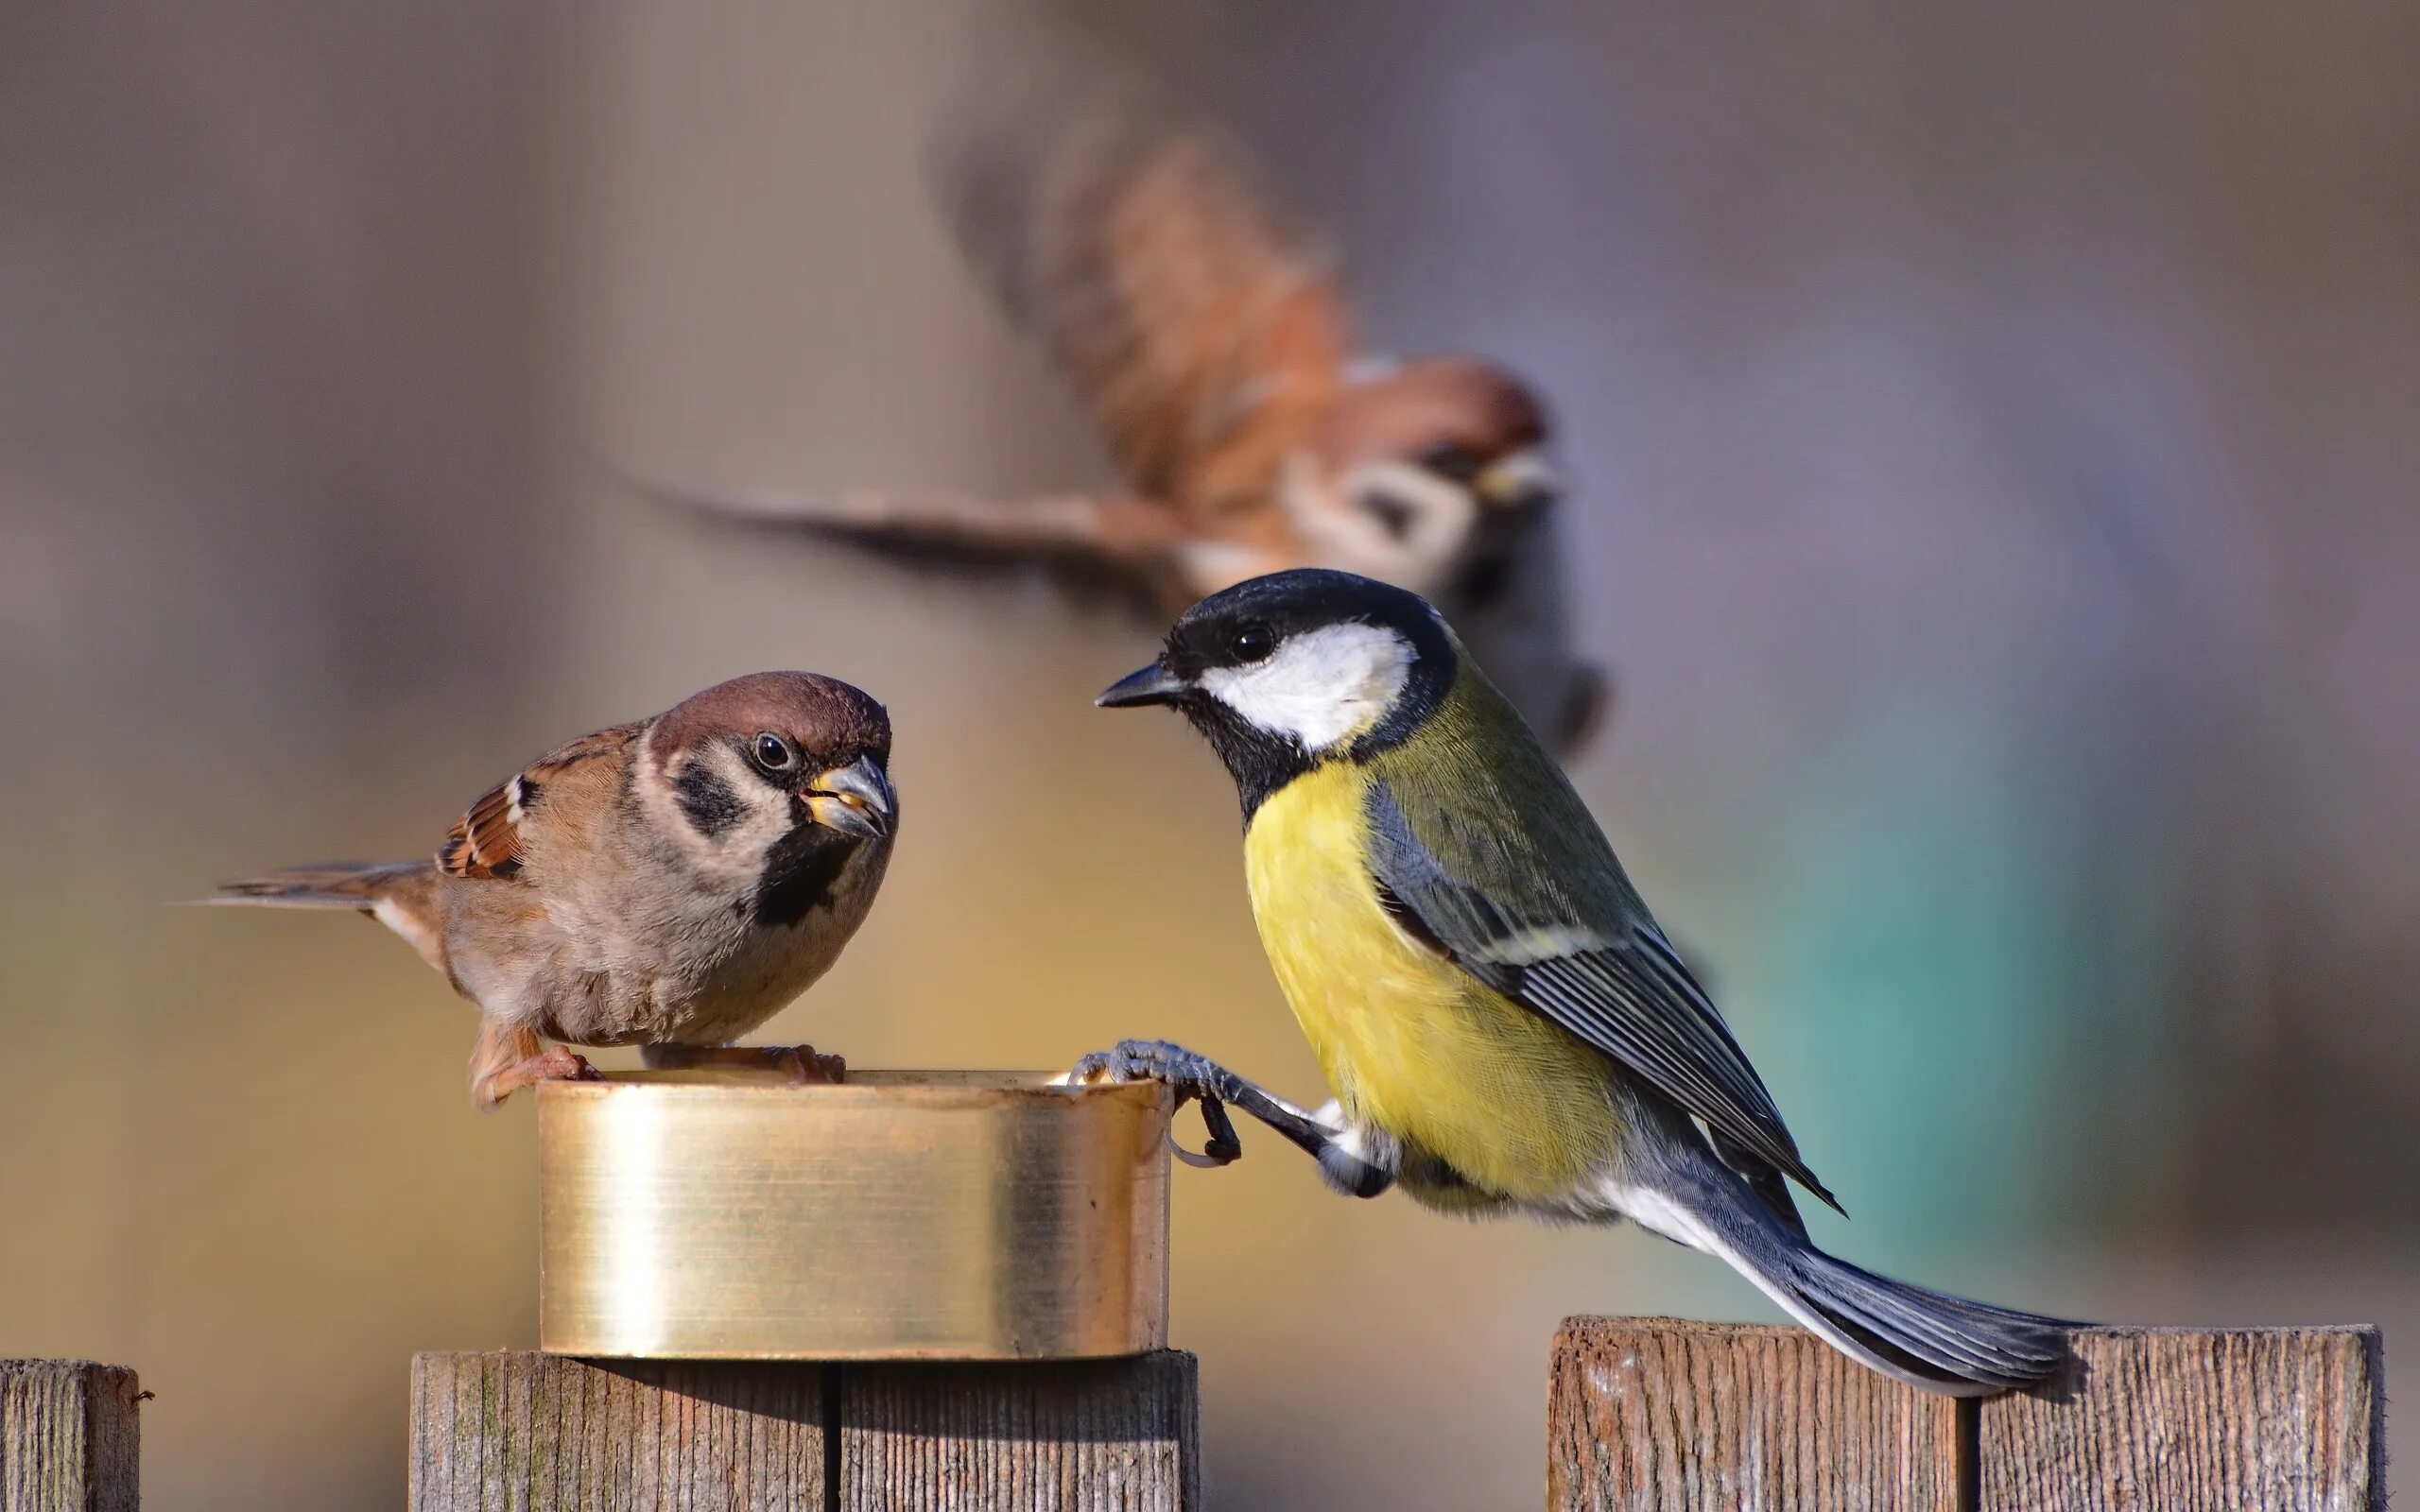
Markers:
point(543, 1433)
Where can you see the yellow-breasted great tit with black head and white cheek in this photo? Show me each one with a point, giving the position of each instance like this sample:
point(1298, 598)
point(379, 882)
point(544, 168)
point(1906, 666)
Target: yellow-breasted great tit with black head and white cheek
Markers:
point(1502, 1022)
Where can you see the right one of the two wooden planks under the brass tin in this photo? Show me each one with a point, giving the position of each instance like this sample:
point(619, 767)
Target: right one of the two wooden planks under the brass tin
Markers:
point(1078, 1436)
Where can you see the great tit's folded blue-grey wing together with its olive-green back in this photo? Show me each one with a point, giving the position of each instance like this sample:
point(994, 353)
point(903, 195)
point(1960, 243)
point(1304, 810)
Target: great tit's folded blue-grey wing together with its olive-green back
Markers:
point(1511, 879)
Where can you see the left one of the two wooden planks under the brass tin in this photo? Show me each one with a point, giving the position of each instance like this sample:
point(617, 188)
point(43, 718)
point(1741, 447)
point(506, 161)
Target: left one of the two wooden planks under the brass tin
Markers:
point(538, 1433)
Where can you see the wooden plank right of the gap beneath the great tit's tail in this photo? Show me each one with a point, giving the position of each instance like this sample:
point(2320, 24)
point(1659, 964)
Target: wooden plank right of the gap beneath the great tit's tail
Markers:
point(2189, 1421)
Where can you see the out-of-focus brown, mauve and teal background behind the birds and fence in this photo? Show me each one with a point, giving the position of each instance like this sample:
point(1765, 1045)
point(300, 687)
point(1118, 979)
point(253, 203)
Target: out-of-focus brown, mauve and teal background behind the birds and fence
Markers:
point(1995, 446)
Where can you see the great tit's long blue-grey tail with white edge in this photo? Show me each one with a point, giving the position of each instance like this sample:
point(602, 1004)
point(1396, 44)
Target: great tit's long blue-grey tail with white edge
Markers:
point(1928, 1339)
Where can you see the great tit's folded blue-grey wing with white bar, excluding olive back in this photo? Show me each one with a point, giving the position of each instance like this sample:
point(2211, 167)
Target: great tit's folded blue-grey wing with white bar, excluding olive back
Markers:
point(1615, 983)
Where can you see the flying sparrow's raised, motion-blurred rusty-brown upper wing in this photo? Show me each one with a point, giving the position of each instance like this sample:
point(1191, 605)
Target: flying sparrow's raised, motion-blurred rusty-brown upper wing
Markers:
point(1199, 328)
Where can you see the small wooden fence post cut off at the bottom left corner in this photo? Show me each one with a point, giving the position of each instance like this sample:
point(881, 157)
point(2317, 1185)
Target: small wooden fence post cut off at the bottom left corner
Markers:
point(69, 1438)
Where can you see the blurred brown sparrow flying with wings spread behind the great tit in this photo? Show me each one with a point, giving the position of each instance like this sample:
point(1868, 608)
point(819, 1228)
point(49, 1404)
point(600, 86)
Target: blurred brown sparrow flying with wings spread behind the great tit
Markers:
point(1206, 337)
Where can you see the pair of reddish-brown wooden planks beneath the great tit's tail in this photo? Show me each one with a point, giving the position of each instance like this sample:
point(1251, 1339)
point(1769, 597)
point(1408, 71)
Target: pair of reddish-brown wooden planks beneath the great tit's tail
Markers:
point(1664, 1414)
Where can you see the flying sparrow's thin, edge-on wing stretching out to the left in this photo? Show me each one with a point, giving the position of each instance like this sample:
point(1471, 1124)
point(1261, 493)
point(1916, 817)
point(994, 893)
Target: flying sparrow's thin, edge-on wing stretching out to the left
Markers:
point(1122, 531)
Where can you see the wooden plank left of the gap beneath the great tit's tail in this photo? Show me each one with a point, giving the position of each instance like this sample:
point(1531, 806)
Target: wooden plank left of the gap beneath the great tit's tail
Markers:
point(1661, 1414)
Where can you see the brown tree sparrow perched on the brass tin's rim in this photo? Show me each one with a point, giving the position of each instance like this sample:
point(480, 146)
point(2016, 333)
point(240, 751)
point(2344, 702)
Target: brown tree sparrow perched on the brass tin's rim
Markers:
point(667, 884)
